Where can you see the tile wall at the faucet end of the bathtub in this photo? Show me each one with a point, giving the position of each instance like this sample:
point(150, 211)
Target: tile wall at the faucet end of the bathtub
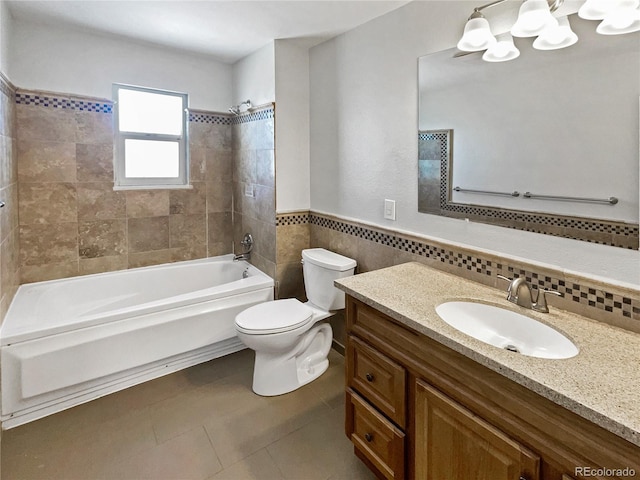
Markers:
point(254, 192)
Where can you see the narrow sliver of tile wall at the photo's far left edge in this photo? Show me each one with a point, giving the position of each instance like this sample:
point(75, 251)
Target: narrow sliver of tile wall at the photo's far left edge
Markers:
point(9, 231)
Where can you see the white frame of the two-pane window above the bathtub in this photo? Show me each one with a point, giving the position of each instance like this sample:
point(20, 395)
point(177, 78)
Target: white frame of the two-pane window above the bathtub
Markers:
point(121, 182)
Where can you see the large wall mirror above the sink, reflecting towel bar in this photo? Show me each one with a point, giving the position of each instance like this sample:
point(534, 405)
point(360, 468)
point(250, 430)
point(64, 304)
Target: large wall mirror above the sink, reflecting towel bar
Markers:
point(548, 142)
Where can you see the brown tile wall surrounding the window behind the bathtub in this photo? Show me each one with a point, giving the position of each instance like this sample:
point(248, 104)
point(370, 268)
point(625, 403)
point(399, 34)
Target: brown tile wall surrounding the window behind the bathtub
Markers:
point(72, 222)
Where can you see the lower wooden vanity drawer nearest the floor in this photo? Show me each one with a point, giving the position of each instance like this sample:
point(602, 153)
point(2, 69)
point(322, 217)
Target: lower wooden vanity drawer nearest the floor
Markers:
point(375, 437)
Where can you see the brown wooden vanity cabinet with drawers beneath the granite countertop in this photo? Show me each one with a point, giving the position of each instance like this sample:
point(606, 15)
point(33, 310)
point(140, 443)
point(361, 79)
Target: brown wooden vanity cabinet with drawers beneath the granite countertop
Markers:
point(416, 409)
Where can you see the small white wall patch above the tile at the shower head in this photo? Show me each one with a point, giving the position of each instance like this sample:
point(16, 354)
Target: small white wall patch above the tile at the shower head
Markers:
point(254, 77)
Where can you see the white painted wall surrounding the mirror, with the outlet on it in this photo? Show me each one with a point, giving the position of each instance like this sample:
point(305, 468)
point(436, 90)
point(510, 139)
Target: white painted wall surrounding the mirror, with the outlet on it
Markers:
point(364, 122)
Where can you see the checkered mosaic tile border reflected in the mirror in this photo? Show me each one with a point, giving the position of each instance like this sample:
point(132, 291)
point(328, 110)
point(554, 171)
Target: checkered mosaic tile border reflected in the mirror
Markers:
point(530, 221)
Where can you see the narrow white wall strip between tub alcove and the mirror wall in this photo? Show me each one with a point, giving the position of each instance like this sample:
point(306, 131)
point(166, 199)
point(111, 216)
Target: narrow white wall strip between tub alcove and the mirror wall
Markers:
point(292, 126)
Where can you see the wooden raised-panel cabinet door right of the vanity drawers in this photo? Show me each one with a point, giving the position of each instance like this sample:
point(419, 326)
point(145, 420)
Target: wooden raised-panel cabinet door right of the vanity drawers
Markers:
point(452, 443)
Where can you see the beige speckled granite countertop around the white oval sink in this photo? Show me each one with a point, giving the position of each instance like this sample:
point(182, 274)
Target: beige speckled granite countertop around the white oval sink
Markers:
point(601, 383)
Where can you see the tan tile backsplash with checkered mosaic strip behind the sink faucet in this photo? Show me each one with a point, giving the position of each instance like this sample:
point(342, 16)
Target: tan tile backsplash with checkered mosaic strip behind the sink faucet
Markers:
point(375, 248)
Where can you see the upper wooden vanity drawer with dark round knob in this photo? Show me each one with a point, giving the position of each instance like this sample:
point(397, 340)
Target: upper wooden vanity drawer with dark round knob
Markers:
point(377, 378)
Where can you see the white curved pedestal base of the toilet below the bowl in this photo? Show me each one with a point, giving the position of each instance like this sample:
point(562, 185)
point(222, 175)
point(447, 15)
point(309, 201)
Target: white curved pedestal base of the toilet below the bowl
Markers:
point(280, 373)
